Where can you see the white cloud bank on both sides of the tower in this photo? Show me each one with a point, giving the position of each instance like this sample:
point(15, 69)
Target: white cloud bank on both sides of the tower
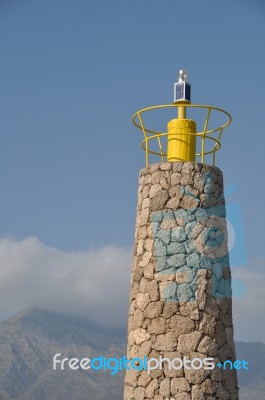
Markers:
point(96, 283)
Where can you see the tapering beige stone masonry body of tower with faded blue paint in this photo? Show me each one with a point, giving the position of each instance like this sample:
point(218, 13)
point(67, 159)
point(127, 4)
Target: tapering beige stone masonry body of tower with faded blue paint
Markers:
point(180, 299)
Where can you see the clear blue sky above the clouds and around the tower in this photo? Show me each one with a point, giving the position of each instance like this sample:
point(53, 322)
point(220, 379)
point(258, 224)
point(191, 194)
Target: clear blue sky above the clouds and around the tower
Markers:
point(72, 73)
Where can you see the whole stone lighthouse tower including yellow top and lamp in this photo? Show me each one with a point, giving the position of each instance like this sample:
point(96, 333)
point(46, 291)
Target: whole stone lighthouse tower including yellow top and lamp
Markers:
point(180, 332)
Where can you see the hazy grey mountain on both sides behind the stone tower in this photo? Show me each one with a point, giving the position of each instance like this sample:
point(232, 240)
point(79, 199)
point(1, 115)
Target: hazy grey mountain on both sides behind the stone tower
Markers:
point(29, 340)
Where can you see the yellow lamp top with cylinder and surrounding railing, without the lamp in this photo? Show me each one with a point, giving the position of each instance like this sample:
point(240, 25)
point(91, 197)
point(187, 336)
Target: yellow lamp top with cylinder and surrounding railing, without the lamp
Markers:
point(183, 142)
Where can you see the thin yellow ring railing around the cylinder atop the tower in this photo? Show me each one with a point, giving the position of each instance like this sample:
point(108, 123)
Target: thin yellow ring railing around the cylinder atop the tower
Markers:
point(206, 136)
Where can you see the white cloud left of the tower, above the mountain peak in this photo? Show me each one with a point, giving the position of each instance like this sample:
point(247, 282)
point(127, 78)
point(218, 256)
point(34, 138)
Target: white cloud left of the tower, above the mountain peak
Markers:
point(93, 282)
